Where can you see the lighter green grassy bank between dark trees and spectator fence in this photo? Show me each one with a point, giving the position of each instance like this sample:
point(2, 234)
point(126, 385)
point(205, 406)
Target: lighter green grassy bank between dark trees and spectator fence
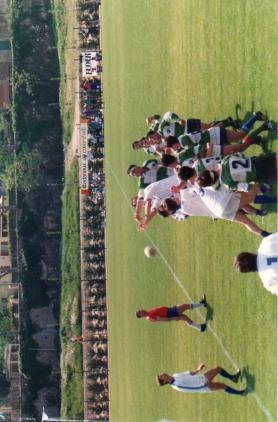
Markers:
point(70, 307)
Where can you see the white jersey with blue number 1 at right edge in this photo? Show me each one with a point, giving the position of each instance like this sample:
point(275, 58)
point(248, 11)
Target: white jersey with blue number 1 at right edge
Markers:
point(267, 263)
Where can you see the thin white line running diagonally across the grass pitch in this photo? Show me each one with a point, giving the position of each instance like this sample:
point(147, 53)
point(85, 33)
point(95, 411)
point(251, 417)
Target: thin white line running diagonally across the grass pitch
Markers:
point(179, 283)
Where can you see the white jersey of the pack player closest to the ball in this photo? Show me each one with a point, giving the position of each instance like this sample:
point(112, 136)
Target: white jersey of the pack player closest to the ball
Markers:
point(192, 204)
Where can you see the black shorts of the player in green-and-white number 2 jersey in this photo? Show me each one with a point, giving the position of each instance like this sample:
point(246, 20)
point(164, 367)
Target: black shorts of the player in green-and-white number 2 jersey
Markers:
point(266, 168)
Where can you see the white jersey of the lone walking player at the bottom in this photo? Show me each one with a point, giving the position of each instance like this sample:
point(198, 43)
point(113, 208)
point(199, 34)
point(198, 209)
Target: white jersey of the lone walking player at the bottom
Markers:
point(187, 383)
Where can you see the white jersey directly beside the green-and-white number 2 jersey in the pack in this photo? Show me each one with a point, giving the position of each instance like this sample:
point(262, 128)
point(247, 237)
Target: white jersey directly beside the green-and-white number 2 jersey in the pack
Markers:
point(223, 202)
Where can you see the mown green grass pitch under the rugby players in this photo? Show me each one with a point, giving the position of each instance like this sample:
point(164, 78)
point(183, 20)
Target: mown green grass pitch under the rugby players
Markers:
point(202, 59)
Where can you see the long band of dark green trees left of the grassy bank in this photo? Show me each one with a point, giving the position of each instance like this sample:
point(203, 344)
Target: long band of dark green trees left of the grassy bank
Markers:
point(36, 170)
